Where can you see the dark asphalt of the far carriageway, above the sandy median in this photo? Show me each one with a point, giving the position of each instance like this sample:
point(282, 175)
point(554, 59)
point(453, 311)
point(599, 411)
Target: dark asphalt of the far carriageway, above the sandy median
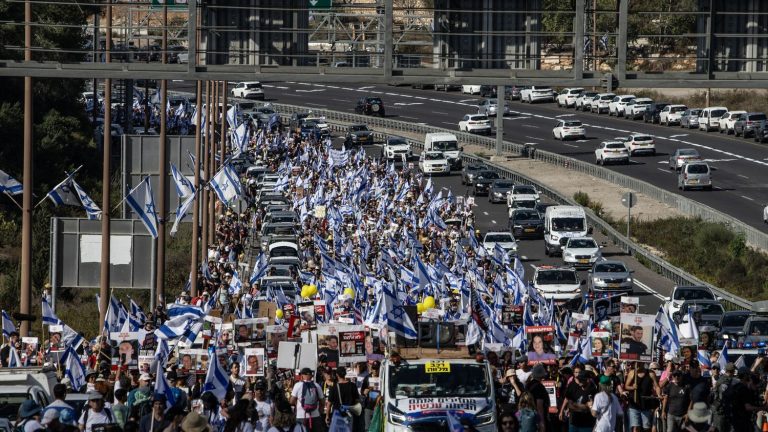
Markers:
point(739, 165)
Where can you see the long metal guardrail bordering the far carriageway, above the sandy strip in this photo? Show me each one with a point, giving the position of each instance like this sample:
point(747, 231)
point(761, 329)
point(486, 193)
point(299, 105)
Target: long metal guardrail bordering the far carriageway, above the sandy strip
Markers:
point(752, 236)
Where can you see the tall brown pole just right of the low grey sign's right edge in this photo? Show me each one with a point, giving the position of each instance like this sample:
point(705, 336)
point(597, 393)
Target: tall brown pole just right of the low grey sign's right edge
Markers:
point(162, 170)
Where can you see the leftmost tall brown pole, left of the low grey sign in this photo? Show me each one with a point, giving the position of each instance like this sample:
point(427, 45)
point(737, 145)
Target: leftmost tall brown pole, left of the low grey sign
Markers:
point(26, 218)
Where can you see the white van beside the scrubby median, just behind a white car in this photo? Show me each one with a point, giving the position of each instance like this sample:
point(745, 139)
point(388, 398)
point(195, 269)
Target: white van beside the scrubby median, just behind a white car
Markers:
point(562, 223)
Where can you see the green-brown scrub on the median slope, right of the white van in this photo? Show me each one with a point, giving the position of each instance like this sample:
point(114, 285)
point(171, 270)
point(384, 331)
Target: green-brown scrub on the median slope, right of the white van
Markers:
point(710, 251)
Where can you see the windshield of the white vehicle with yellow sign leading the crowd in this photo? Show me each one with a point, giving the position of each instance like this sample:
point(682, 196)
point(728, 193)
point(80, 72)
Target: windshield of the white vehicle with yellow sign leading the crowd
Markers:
point(461, 380)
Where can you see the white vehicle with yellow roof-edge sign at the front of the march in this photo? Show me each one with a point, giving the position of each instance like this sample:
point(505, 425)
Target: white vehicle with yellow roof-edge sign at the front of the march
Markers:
point(419, 395)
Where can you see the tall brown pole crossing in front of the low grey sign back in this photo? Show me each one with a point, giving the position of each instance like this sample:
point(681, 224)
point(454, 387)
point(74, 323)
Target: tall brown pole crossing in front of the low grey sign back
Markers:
point(106, 241)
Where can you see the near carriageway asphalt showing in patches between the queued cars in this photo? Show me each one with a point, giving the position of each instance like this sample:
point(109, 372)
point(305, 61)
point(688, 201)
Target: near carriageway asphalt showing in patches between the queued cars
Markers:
point(649, 287)
